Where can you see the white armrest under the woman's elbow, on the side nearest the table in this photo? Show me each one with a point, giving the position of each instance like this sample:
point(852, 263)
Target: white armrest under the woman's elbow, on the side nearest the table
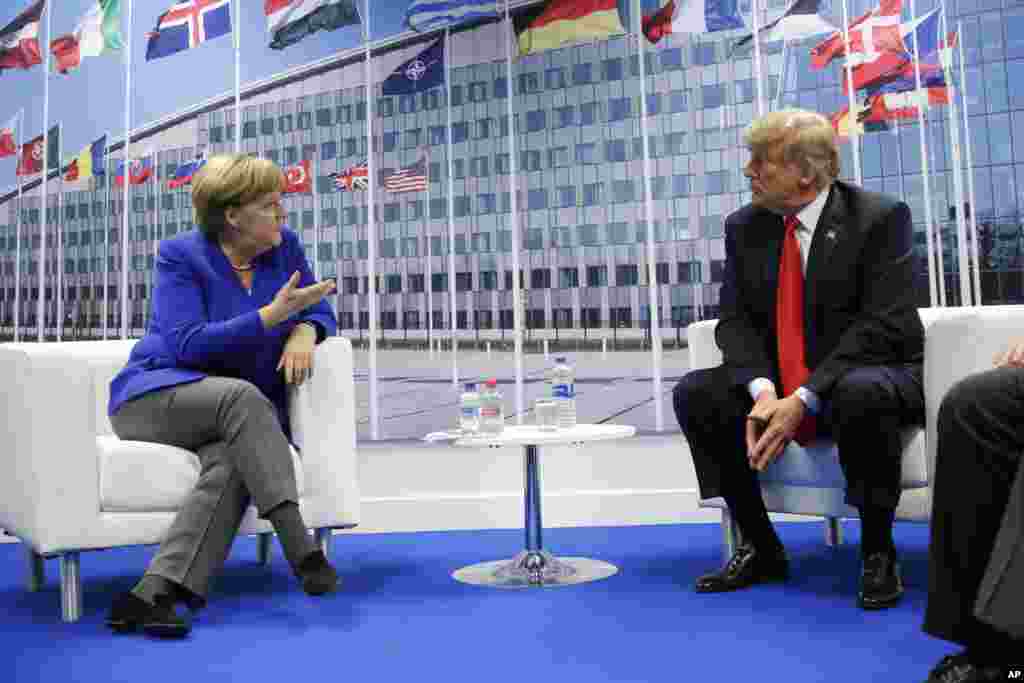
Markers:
point(322, 412)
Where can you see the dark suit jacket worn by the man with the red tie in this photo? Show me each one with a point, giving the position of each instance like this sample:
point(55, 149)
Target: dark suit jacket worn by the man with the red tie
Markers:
point(859, 297)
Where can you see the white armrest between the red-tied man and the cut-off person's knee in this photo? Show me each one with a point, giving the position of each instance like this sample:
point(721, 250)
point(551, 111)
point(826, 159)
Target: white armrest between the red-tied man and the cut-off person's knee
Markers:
point(961, 345)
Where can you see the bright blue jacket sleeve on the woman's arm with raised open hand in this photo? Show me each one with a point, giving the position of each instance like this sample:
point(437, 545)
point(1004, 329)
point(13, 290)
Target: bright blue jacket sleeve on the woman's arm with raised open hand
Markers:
point(179, 296)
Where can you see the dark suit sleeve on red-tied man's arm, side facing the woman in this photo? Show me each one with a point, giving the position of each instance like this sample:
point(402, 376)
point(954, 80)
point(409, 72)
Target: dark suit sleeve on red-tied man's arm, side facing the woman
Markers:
point(744, 350)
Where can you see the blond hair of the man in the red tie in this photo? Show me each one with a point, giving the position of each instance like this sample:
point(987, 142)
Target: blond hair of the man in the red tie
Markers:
point(807, 139)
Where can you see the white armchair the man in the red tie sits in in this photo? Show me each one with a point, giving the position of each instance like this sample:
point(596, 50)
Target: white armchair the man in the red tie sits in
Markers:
point(809, 482)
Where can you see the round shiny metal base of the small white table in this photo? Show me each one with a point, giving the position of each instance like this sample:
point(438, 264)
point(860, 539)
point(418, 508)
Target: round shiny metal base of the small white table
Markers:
point(535, 570)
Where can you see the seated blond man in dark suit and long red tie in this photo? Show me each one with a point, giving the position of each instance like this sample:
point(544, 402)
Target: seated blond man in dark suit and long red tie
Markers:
point(840, 356)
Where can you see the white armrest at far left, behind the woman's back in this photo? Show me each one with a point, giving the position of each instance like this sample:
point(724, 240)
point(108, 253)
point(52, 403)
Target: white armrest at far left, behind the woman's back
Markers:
point(50, 476)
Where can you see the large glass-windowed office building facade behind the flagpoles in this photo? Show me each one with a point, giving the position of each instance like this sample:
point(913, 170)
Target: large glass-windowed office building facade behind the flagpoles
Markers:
point(579, 173)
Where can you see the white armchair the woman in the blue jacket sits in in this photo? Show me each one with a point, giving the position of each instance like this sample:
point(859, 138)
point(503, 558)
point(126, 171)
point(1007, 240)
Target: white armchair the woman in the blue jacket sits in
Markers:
point(68, 485)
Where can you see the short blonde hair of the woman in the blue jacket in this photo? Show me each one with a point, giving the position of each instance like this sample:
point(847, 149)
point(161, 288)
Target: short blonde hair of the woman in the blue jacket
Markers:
point(229, 181)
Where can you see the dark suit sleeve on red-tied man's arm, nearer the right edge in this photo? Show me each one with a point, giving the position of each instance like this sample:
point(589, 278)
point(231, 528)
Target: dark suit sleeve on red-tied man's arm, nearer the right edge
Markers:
point(888, 329)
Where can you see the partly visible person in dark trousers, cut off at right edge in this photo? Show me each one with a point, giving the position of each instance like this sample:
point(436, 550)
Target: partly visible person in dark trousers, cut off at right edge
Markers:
point(976, 582)
